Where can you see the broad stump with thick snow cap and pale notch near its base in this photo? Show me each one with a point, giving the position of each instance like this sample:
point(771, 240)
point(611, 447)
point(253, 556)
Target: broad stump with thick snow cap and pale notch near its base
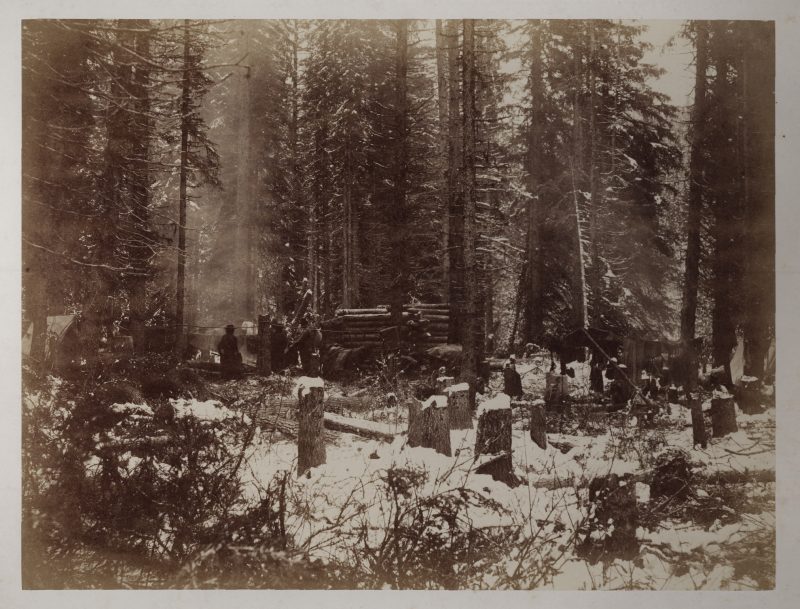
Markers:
point(494, 438)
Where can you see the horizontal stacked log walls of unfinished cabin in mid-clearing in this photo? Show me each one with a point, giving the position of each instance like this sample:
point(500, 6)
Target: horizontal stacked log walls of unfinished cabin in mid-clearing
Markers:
point(423, 324)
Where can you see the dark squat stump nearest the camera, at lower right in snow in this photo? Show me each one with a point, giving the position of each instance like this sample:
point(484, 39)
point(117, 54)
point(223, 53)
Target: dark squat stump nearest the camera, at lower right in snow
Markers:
point(612, 521)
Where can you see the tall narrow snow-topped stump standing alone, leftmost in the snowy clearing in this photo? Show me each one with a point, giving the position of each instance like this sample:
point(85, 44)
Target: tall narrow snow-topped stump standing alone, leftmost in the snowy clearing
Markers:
point(310, 439)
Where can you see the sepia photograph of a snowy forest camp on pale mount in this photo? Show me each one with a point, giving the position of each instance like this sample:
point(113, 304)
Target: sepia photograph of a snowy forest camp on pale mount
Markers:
point(397, 304)
